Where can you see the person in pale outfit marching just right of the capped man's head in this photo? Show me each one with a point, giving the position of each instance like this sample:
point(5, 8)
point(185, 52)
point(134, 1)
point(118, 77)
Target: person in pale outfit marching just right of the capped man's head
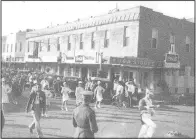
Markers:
point(98, 94)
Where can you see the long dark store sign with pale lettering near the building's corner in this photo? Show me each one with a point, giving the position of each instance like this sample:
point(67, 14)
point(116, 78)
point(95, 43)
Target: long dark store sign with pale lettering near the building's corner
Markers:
point(132, 61)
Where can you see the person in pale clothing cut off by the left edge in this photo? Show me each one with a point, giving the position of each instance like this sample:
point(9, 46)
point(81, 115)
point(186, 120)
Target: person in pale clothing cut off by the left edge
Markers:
point(5, 91)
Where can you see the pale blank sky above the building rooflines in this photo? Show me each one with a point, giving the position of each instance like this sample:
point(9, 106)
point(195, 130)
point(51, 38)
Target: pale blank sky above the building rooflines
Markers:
point(22, 15)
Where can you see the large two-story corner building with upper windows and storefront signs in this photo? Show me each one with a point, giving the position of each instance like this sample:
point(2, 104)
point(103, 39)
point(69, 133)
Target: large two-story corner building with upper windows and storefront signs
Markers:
point(136, 43)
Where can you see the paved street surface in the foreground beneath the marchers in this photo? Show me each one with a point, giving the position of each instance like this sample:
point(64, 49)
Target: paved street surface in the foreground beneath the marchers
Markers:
point(110, 120)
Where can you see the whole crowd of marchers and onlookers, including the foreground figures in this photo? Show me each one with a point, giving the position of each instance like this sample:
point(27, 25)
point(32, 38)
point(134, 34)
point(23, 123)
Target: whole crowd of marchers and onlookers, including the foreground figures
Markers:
point(124, 94)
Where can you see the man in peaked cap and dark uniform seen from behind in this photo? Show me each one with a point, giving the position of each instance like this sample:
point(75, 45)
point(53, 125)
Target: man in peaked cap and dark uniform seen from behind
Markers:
point(84, 118)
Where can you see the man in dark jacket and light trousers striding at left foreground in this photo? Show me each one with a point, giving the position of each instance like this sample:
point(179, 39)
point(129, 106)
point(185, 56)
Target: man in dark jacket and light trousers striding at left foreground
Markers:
point(36, 103)
